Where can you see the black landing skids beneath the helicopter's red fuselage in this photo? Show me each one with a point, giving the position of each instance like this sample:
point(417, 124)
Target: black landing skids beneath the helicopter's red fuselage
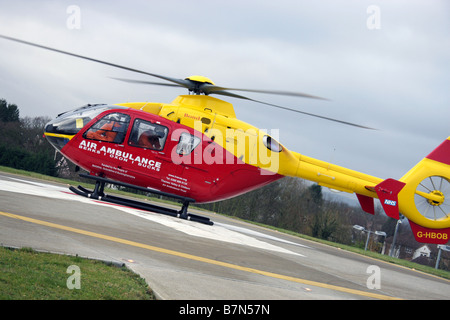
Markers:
point(98, 193)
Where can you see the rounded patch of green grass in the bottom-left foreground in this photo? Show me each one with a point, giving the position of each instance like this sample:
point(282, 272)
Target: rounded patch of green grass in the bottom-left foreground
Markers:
point(29, 275)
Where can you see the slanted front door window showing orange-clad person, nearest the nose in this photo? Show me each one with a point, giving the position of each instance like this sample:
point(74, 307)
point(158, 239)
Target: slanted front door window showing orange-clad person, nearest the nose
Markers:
point(111, 128)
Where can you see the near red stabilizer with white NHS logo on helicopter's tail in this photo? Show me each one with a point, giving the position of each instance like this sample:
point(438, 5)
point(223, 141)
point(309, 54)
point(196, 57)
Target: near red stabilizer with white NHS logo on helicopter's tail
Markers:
point(387, 192)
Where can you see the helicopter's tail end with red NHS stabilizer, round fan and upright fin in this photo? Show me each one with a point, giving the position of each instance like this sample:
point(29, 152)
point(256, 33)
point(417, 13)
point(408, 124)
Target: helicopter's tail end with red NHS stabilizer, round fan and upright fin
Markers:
point(422, 195)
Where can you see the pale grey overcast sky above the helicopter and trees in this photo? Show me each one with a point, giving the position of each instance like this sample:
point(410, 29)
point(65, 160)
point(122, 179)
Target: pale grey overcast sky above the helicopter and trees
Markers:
point(383, 64)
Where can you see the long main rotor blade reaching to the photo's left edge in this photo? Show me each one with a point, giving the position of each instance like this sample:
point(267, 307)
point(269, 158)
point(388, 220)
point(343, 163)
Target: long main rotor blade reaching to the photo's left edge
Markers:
point(180, 82)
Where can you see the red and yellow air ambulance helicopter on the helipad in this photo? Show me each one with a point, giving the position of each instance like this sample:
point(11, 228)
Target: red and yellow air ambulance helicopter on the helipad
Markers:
point(195, 149)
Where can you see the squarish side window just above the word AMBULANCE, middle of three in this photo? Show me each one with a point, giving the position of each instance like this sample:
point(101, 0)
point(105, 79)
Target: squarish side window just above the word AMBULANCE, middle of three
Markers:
point(148, 135)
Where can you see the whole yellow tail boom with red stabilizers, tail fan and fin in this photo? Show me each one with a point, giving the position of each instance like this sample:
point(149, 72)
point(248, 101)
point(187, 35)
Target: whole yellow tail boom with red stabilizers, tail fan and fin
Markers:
point(422, 195)
